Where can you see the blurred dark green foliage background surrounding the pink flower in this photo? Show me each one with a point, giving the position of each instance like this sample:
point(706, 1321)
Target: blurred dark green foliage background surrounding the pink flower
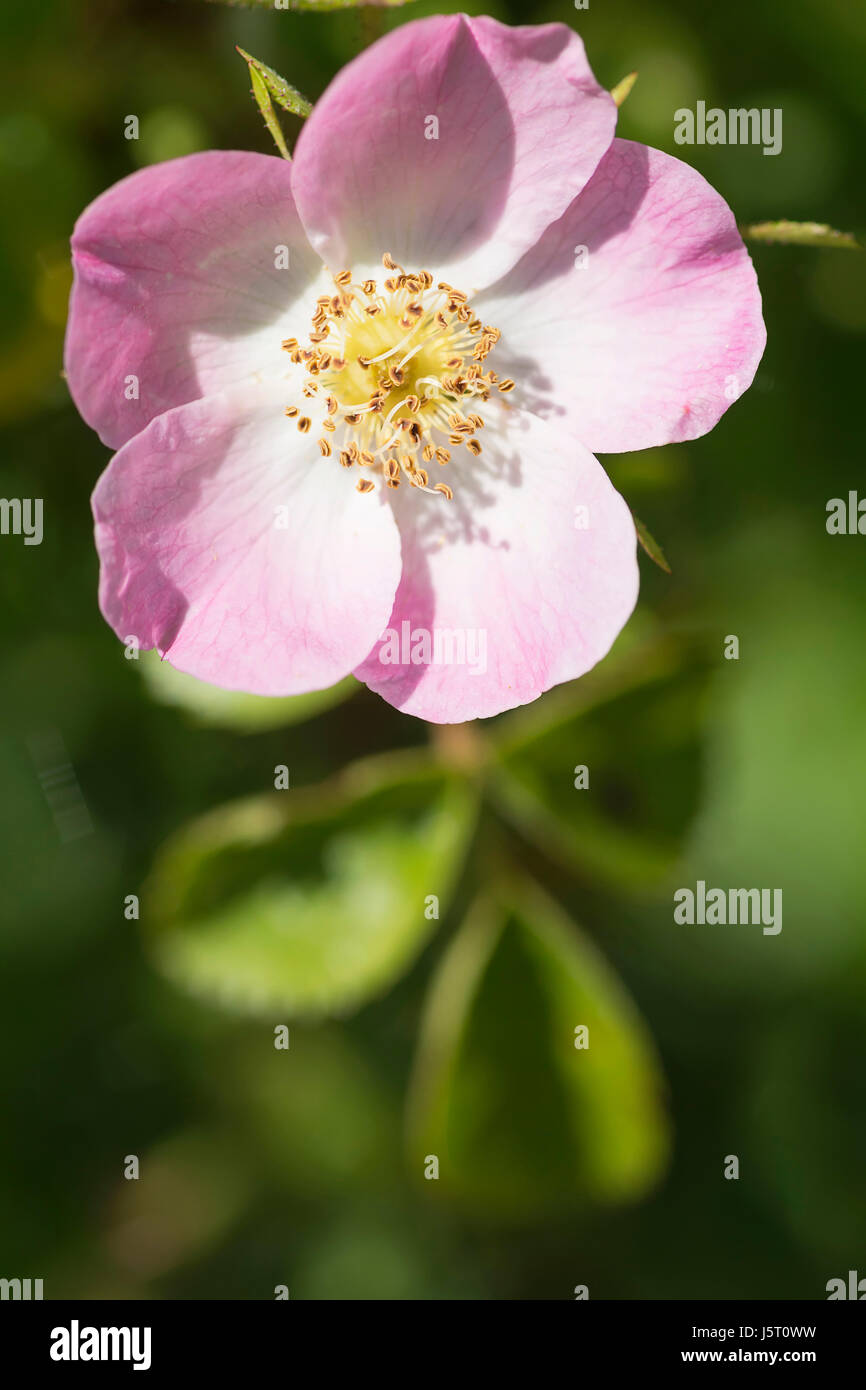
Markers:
point(412, 1036)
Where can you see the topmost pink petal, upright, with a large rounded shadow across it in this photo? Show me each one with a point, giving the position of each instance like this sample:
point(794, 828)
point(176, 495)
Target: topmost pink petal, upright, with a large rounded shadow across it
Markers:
point(523, 124)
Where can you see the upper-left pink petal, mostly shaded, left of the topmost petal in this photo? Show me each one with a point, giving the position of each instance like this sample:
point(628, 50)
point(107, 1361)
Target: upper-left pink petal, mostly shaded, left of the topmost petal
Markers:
point(177, 284)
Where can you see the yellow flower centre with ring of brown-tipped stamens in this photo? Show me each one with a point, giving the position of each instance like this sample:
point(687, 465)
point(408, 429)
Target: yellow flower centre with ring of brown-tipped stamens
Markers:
point(398, 373)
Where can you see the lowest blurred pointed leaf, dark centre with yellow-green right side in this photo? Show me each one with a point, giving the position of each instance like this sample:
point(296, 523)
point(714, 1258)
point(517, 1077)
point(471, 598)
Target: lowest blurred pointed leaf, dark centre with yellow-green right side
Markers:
point(519, 1117)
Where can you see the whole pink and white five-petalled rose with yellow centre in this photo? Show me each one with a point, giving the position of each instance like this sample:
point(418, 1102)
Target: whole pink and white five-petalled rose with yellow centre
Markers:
point(355, 397)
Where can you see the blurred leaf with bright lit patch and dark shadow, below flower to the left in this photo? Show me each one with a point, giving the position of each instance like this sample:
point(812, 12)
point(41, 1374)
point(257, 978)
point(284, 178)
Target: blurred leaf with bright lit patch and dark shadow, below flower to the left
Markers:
point(312, 901)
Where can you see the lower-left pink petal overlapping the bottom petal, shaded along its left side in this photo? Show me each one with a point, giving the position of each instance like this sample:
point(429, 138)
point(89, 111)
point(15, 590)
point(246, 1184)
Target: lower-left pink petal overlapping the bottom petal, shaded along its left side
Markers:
point(197, 559)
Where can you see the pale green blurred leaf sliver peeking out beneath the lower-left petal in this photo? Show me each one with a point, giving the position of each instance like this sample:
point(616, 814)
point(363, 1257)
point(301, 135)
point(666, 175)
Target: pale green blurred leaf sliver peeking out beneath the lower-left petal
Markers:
point(233, 710)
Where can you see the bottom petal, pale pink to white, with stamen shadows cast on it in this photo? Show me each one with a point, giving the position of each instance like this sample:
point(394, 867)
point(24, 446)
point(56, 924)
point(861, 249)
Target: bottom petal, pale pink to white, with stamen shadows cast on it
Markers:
point(507, 576)
